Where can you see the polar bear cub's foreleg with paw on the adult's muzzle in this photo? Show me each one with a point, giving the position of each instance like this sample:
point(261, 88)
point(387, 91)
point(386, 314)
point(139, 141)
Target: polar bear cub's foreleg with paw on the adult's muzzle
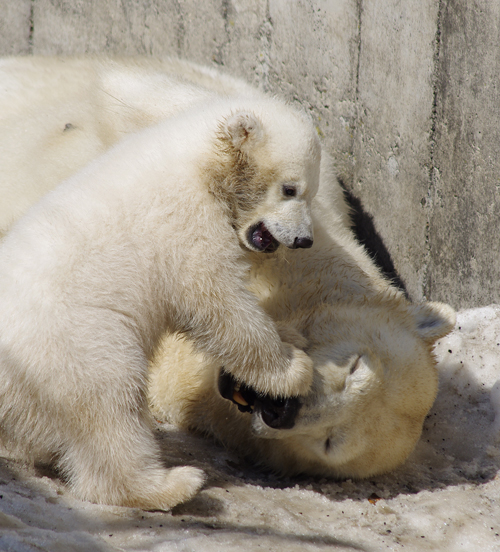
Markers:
point(232, 327)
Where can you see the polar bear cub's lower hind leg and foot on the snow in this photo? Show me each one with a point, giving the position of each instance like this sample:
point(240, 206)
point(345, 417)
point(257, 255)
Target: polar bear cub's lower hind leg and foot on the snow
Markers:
point(121, 465)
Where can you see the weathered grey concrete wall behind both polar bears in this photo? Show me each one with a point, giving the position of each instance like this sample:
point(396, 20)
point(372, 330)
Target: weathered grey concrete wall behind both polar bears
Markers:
point(406, 96)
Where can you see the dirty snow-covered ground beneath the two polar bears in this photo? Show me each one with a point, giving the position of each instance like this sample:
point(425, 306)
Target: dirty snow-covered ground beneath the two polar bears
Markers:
point(445, 498)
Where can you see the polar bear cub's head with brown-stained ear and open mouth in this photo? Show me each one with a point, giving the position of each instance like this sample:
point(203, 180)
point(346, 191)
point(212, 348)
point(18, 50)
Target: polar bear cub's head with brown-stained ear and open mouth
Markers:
point(268, 174)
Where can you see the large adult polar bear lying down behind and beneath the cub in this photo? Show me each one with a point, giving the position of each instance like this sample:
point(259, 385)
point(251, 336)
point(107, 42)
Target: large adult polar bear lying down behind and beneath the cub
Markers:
point(374, 372)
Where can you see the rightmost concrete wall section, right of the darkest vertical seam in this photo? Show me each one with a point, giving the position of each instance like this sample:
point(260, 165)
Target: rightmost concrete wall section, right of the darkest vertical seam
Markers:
point(464, 240)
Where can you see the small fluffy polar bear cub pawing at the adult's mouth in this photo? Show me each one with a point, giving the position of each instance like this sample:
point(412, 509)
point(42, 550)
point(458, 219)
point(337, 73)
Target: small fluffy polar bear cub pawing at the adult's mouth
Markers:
point(150, 238)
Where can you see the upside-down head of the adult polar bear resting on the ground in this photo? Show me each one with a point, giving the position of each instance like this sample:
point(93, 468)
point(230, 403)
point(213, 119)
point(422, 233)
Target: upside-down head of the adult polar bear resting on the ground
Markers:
point(375, 381)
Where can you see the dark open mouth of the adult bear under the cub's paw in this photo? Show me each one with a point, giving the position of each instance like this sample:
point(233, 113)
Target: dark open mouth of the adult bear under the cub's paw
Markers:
point(276, 413)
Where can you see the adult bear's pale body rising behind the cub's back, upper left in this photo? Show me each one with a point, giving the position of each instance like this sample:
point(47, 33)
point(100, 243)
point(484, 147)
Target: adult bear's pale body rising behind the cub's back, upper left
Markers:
point(57, 114)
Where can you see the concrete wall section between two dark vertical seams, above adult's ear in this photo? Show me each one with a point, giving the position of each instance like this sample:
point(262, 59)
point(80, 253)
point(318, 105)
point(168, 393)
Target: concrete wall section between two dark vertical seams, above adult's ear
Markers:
point(394, 103)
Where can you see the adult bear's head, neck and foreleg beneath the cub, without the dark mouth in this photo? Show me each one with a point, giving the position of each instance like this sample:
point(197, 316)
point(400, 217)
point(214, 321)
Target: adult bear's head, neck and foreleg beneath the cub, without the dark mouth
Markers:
point(374, 371)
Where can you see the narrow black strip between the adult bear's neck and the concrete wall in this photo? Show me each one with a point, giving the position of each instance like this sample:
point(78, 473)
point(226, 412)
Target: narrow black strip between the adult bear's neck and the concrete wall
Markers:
point(366, 234)
